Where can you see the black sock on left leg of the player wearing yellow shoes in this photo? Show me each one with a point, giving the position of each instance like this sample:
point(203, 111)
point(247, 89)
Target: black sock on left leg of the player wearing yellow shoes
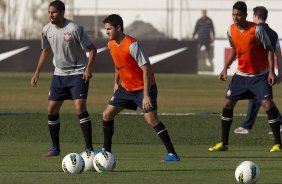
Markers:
point(226, 121)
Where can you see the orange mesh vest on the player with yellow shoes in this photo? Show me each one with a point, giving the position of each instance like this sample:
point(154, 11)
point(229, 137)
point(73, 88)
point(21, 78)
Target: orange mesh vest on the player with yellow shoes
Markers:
point(252, 57)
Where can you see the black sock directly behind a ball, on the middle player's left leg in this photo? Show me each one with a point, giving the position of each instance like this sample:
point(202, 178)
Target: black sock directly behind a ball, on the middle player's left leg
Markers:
point(108, 129)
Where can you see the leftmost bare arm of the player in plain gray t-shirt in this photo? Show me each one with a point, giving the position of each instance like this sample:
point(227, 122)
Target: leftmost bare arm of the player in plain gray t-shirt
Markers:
point(42, 59)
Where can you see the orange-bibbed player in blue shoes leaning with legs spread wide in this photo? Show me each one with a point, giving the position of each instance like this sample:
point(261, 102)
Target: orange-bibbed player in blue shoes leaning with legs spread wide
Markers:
point(137, 88)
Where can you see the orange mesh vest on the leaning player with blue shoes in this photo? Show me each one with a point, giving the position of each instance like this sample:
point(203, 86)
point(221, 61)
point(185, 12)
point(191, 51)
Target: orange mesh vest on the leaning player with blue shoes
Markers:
point(129, 71)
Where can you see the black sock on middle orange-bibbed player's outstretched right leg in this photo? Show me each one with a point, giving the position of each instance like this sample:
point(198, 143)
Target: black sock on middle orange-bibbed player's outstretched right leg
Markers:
point(163, 134)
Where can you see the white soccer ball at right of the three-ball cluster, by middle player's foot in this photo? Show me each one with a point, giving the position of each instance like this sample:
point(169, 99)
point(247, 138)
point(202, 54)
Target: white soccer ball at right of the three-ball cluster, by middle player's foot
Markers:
point(104, 162)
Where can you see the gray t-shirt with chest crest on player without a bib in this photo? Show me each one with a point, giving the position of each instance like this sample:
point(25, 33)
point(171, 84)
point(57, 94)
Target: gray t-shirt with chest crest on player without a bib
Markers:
point(68, 45)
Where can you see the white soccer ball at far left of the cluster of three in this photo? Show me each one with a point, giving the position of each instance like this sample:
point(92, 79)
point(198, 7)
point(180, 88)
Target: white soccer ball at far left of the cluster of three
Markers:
point(73, 163)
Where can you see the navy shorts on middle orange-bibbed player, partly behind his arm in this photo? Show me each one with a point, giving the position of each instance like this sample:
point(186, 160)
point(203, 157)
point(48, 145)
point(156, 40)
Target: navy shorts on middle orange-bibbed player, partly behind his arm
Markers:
point(133, 99)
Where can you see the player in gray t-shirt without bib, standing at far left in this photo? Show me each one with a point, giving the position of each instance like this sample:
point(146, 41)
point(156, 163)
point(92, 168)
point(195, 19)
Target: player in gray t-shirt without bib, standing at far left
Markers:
point(68, 42)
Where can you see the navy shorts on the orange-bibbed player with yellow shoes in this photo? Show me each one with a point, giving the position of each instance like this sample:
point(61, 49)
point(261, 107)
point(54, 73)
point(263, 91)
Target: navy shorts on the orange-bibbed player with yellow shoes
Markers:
point(242, 87)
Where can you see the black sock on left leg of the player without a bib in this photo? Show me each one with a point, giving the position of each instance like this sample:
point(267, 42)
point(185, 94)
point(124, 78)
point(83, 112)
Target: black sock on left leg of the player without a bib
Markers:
point(54, 129)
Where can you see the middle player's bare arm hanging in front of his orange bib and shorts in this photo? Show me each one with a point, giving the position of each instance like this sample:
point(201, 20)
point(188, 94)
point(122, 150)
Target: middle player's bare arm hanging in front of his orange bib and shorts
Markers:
point(146, 103)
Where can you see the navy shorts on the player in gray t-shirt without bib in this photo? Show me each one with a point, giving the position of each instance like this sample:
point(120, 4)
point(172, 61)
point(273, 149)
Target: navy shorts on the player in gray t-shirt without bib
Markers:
point(69, 87)
